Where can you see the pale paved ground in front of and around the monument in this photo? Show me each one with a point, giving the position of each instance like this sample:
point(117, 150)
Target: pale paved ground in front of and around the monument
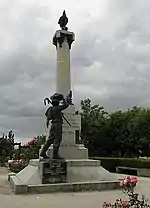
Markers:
point(62, 200)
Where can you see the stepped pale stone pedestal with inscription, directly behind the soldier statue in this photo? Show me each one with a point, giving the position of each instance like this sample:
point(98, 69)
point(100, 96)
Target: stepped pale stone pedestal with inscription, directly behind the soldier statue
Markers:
point(68, 148)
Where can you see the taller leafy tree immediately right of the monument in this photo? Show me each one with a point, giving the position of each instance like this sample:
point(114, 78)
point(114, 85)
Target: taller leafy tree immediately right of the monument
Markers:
point(94, 127)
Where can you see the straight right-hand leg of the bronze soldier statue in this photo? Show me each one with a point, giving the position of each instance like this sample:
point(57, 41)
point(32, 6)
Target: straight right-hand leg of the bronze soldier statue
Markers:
point(57, 140)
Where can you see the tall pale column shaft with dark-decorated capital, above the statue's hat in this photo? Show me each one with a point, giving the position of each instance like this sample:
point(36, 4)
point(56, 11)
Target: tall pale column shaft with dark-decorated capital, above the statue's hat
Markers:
point(63, 40)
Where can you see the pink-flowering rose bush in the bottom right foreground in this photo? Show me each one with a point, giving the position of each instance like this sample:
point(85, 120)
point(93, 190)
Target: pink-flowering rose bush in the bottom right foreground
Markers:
point(127, 185)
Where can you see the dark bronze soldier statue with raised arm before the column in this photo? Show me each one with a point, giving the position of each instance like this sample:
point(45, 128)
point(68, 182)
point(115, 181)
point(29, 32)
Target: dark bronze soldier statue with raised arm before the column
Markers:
point(54, 113)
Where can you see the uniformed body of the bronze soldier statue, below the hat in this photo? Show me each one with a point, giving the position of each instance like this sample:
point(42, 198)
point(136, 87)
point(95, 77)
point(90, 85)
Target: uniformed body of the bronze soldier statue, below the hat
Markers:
point(54, 114)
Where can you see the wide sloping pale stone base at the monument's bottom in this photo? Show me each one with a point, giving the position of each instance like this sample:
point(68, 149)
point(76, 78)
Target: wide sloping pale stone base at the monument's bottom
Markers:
point(82, 175)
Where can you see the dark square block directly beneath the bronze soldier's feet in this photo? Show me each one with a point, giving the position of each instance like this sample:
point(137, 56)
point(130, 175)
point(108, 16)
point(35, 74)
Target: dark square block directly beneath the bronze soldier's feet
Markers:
point(52, 171)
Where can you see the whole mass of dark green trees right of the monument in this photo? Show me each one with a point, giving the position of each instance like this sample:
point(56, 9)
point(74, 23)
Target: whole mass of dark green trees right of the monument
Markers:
point(125, 134)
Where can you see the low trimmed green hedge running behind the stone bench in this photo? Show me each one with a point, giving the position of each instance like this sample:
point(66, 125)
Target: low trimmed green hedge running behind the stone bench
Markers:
point(111, 163)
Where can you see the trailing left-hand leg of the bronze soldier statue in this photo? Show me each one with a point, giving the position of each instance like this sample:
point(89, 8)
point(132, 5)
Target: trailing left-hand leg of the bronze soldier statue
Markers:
point(48, 143)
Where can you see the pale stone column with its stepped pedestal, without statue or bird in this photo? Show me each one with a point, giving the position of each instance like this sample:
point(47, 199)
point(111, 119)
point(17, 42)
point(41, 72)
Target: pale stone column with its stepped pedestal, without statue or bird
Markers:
point(69, 149)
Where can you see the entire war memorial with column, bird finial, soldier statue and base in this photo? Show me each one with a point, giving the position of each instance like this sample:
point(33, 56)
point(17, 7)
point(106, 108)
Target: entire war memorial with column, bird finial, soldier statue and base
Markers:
point(63, 164)
